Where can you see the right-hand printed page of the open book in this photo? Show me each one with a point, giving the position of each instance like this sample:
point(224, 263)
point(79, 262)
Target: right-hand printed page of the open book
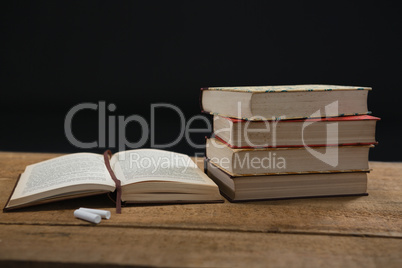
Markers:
point(156, 165)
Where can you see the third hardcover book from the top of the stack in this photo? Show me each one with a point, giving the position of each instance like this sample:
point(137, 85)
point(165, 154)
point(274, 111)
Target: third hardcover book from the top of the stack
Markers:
point(296, 160)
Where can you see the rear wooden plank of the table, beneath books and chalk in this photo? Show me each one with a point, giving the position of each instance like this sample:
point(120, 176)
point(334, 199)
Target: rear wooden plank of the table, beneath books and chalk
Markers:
point(378, 214)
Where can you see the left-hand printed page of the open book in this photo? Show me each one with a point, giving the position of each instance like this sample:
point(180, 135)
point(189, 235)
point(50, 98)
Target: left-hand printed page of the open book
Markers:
point(74, 169)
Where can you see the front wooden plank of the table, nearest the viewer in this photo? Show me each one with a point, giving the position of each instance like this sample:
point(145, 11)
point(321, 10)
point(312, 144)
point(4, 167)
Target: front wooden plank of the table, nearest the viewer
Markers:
point(177, 248)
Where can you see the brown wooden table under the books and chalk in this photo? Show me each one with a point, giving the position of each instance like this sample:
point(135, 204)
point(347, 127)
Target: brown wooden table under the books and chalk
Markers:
point(352, 231)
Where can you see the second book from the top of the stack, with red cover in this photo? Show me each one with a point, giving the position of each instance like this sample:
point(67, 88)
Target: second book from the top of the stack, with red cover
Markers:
point(347, 130)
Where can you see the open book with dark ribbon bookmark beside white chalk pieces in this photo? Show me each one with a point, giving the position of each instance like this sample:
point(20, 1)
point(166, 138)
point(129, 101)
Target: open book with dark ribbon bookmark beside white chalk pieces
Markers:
point(146, 176)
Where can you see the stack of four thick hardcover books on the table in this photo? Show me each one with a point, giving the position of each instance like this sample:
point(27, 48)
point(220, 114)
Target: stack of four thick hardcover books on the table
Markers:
point(289, 141)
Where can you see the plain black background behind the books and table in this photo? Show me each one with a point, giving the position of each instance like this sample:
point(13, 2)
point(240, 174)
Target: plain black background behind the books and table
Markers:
point(57, 54)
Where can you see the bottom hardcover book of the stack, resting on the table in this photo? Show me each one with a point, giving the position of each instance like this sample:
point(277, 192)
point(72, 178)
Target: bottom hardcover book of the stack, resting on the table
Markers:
point(287, 186)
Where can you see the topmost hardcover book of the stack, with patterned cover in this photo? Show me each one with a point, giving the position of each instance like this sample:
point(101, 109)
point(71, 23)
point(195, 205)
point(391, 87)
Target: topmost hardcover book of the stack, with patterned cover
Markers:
point(284, 102)
